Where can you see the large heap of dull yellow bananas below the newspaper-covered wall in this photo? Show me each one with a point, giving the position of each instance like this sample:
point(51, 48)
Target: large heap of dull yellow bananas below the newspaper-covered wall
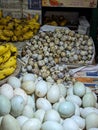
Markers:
point(13, 29)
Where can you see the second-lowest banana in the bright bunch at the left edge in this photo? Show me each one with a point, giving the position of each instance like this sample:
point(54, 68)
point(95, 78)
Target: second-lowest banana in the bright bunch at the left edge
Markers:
point(12, 61)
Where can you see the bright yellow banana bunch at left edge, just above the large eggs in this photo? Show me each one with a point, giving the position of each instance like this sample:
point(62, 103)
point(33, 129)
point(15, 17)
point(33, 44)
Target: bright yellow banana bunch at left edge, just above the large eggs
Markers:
point(8, 59)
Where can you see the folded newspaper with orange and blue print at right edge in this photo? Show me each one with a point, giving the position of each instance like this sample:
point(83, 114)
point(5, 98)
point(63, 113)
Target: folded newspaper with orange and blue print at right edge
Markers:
point(86, 74)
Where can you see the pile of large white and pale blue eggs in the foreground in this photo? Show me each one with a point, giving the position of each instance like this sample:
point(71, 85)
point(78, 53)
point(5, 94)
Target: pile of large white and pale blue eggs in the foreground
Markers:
point(30, 103)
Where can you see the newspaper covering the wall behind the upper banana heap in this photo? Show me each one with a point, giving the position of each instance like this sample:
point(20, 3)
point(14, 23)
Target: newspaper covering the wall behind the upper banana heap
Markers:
point(21, 8)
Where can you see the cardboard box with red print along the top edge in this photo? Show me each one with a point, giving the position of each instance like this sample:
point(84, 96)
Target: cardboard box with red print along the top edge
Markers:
point(70, 3)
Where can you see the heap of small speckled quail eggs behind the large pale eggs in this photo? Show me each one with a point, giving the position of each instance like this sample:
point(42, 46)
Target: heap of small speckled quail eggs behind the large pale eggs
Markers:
point(49, 53)
